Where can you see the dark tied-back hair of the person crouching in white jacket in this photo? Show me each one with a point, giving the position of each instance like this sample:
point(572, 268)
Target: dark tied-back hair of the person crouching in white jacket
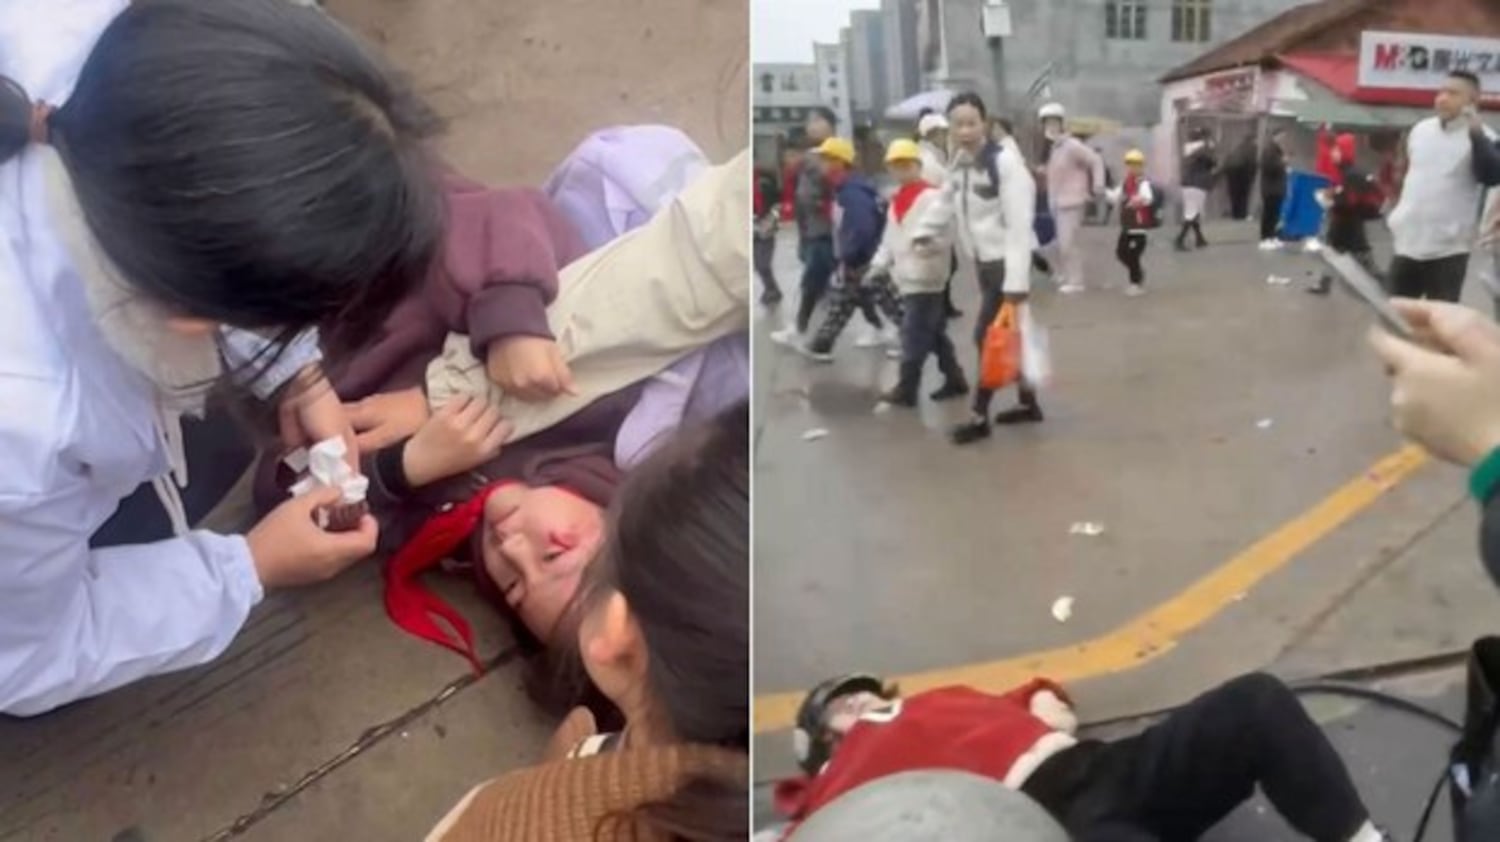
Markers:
point(248, 163)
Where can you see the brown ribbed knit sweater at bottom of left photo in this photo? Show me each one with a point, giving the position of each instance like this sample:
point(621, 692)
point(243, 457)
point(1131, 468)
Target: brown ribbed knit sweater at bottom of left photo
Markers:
point(565, 801)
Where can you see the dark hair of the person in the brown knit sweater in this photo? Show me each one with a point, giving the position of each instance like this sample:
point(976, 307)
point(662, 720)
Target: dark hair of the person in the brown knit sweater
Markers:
point(679, 552)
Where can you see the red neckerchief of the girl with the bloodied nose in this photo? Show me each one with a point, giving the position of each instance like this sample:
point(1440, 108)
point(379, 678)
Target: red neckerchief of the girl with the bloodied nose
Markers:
point(416, 609)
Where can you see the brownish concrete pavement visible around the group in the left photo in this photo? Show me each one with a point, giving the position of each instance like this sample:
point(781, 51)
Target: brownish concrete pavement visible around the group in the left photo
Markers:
point(323, 721)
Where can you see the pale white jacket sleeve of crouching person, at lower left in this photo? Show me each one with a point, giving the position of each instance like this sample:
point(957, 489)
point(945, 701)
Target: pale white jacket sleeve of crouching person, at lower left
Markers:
point(77, 622)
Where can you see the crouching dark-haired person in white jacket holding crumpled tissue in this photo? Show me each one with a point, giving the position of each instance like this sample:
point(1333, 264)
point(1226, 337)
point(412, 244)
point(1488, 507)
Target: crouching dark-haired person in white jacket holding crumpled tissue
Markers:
point(202, 166)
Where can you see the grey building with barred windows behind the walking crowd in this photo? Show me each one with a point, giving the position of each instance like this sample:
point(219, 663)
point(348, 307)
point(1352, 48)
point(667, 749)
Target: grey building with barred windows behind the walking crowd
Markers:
point(1100, 58)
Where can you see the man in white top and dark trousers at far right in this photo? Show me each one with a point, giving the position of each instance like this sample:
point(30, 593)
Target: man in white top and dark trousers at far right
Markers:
point(1453, 158)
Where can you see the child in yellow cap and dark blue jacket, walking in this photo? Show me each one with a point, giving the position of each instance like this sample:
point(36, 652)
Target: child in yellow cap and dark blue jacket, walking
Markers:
point(857, 236)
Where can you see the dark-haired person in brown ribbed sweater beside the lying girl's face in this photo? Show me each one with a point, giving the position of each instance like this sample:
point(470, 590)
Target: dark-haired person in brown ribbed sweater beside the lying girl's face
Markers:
point(664, 630)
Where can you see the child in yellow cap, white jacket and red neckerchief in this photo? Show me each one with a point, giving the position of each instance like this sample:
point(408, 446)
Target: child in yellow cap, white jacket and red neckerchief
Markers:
point(920, 275)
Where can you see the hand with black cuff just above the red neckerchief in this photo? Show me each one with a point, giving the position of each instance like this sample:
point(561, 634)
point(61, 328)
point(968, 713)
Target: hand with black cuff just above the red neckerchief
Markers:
point(460, 438)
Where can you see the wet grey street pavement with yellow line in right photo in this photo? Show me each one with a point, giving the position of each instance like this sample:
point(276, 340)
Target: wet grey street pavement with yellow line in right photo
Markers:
point(1195, 426)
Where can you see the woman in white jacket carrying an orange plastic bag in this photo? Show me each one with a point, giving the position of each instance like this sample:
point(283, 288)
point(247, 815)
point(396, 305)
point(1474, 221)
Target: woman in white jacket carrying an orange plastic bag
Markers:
point(992, 199)
